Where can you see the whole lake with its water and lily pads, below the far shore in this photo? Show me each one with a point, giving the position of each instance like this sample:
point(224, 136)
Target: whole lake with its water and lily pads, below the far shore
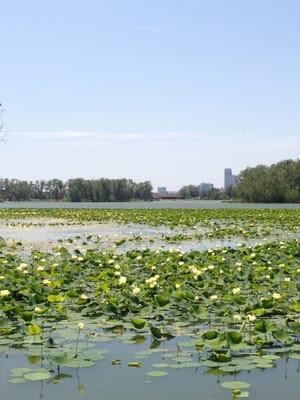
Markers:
point(109, 342)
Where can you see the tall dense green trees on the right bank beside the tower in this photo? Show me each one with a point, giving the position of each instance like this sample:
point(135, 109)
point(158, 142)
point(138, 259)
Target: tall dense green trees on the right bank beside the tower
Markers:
point(278, 183)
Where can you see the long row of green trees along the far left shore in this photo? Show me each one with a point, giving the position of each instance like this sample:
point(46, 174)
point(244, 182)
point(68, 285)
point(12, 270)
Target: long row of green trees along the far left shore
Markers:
point(75, 190)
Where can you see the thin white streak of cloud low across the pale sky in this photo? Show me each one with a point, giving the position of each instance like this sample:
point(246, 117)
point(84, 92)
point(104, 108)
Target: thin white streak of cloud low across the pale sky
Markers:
point(239, 143)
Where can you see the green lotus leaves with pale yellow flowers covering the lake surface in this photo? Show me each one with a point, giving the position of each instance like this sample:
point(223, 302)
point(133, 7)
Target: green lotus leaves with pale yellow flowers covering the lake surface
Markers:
point(225, 310)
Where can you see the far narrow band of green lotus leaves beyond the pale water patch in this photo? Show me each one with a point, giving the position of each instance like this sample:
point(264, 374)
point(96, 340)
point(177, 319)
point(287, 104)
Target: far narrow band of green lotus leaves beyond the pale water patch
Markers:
point(242, 219)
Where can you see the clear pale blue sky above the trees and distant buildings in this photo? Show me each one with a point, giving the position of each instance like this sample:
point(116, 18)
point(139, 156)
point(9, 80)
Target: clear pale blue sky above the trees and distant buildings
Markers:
point(171, 91)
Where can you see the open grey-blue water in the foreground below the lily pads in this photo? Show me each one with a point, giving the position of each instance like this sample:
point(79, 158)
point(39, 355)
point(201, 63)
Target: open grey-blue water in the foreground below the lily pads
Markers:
point(115, 380)
